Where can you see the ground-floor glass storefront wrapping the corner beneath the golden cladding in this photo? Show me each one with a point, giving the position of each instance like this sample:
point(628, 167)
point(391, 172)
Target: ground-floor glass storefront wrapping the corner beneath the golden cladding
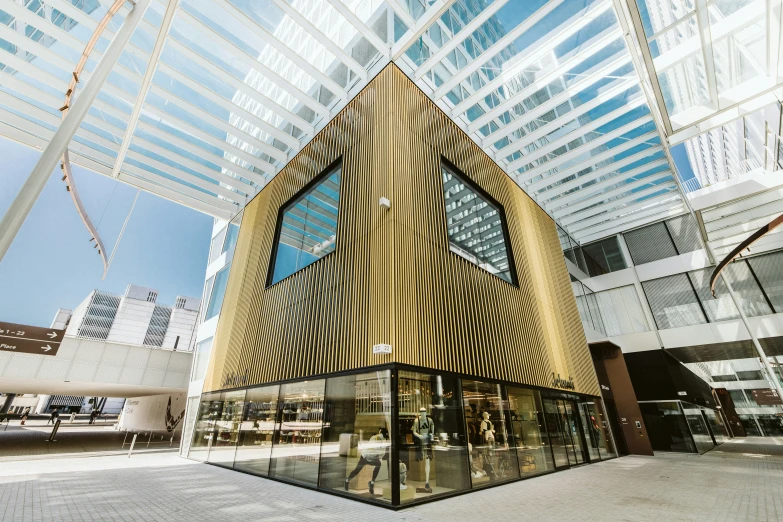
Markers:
point(386, 435)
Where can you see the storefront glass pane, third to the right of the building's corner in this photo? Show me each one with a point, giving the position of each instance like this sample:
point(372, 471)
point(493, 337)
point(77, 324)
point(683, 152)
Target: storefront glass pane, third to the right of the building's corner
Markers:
point(530, 436)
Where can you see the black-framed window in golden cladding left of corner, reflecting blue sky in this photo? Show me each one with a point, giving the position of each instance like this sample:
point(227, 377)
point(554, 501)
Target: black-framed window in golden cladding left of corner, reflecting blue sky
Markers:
point(307, 226)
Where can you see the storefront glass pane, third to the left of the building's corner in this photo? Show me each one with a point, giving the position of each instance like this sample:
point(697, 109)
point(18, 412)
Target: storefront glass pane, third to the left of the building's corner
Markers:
point(258, 427)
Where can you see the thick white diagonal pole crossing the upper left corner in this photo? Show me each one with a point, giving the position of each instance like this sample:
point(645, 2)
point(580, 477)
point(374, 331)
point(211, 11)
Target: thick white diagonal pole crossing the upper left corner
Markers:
point(32, 188)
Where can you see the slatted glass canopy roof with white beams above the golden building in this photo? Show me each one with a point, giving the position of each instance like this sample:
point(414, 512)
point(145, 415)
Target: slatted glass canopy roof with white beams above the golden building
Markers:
point(213, 97)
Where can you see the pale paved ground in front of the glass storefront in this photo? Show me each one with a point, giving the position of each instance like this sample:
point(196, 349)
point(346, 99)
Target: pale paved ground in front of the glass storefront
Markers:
point(738, 481)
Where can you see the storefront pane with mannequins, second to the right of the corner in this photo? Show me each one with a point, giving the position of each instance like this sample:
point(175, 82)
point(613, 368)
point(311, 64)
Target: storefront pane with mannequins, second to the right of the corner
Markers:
point(490, 454)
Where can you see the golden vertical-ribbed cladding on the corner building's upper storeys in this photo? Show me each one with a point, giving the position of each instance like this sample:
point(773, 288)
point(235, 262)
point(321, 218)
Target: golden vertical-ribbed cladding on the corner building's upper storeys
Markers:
point(392, 278)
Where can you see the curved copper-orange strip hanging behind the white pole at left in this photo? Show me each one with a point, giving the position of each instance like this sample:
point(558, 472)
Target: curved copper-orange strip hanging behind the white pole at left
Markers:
point(65, 163)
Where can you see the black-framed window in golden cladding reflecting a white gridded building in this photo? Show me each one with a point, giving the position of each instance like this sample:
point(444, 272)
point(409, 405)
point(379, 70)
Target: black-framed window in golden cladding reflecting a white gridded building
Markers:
point(476, 226)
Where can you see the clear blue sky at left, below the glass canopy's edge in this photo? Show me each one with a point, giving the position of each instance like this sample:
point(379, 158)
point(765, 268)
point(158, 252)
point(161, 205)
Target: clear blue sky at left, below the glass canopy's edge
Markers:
point(52, 264)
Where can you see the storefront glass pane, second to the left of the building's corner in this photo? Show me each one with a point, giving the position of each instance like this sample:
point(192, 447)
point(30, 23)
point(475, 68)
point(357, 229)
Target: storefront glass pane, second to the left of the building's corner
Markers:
point(297, 445)
